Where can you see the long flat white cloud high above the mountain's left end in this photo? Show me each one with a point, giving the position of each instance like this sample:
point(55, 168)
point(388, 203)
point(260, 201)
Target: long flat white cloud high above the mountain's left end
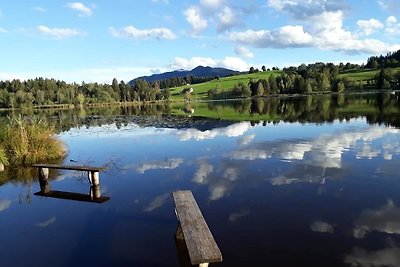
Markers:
point(135, 33)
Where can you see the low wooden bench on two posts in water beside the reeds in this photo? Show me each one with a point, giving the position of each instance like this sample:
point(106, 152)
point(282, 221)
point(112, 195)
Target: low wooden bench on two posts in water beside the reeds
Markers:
point(93, 172)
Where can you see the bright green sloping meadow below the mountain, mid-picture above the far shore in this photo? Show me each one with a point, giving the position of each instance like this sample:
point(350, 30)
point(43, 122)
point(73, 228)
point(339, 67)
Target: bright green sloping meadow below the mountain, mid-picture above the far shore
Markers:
point(226, 83)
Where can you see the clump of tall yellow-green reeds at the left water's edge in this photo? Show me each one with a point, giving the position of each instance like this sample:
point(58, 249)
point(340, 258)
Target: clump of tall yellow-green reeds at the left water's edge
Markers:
point(29, 141)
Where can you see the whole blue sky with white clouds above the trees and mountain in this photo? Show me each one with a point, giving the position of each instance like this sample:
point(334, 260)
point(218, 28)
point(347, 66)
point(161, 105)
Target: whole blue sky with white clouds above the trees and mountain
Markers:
point(95, 41)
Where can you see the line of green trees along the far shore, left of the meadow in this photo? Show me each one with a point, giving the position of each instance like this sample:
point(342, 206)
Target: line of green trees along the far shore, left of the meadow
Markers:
point(41, 91)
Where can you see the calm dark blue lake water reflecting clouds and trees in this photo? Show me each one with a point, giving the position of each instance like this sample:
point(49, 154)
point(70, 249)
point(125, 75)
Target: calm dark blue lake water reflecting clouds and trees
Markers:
point(319, 190)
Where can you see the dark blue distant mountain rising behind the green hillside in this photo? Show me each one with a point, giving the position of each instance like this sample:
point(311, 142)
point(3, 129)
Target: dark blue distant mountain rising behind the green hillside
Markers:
point(199, 72)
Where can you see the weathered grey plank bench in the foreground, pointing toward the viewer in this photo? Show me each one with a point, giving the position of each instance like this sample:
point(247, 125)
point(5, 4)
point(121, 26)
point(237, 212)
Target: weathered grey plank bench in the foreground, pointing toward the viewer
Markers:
point(193, 229)
